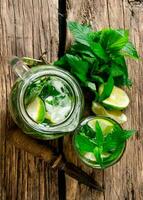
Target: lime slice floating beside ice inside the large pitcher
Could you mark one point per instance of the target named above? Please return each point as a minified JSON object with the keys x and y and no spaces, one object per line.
{"x":36,"y":110}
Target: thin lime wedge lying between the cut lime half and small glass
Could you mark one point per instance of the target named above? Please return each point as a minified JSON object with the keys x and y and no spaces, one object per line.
{"x":117,"y":115}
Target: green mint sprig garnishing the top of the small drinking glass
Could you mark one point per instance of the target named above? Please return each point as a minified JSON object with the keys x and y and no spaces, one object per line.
{"x":88,"y":140}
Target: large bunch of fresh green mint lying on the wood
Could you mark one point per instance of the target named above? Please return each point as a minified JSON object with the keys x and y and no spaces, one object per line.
{"x":98,"y":57}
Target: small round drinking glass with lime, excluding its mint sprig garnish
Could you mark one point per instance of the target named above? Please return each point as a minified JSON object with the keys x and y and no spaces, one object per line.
{"x":84,"y":145}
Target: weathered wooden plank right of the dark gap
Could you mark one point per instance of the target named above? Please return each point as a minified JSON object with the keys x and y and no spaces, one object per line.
{"x":124,"y":180}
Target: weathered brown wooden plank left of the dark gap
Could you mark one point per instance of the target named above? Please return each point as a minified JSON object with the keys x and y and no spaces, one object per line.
{"x":27,"y":28}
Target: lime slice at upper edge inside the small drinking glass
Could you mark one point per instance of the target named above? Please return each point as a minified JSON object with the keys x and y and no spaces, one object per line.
{"x":105,"y":124}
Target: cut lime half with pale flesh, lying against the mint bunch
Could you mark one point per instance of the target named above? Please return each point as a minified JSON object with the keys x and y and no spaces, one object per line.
{"x":118,"y":99}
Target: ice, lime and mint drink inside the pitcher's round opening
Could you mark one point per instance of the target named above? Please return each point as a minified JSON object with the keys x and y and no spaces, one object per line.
{"x":49,"y":100}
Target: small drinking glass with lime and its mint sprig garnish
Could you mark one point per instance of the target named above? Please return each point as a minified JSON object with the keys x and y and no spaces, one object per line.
{"x":100,"y":141}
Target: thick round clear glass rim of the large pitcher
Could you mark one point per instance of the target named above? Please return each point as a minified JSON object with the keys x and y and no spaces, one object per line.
{"x":45,"y":70}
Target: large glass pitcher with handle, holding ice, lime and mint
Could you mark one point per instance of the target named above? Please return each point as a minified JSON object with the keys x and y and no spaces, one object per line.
{"x":63,"y":110}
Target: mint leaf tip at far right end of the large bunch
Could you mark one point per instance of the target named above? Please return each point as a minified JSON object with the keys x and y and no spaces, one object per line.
{"x":129,"y":50}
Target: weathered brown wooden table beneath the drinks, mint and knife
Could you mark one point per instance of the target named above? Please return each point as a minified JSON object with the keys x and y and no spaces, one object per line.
{"x":28,"y":28}
